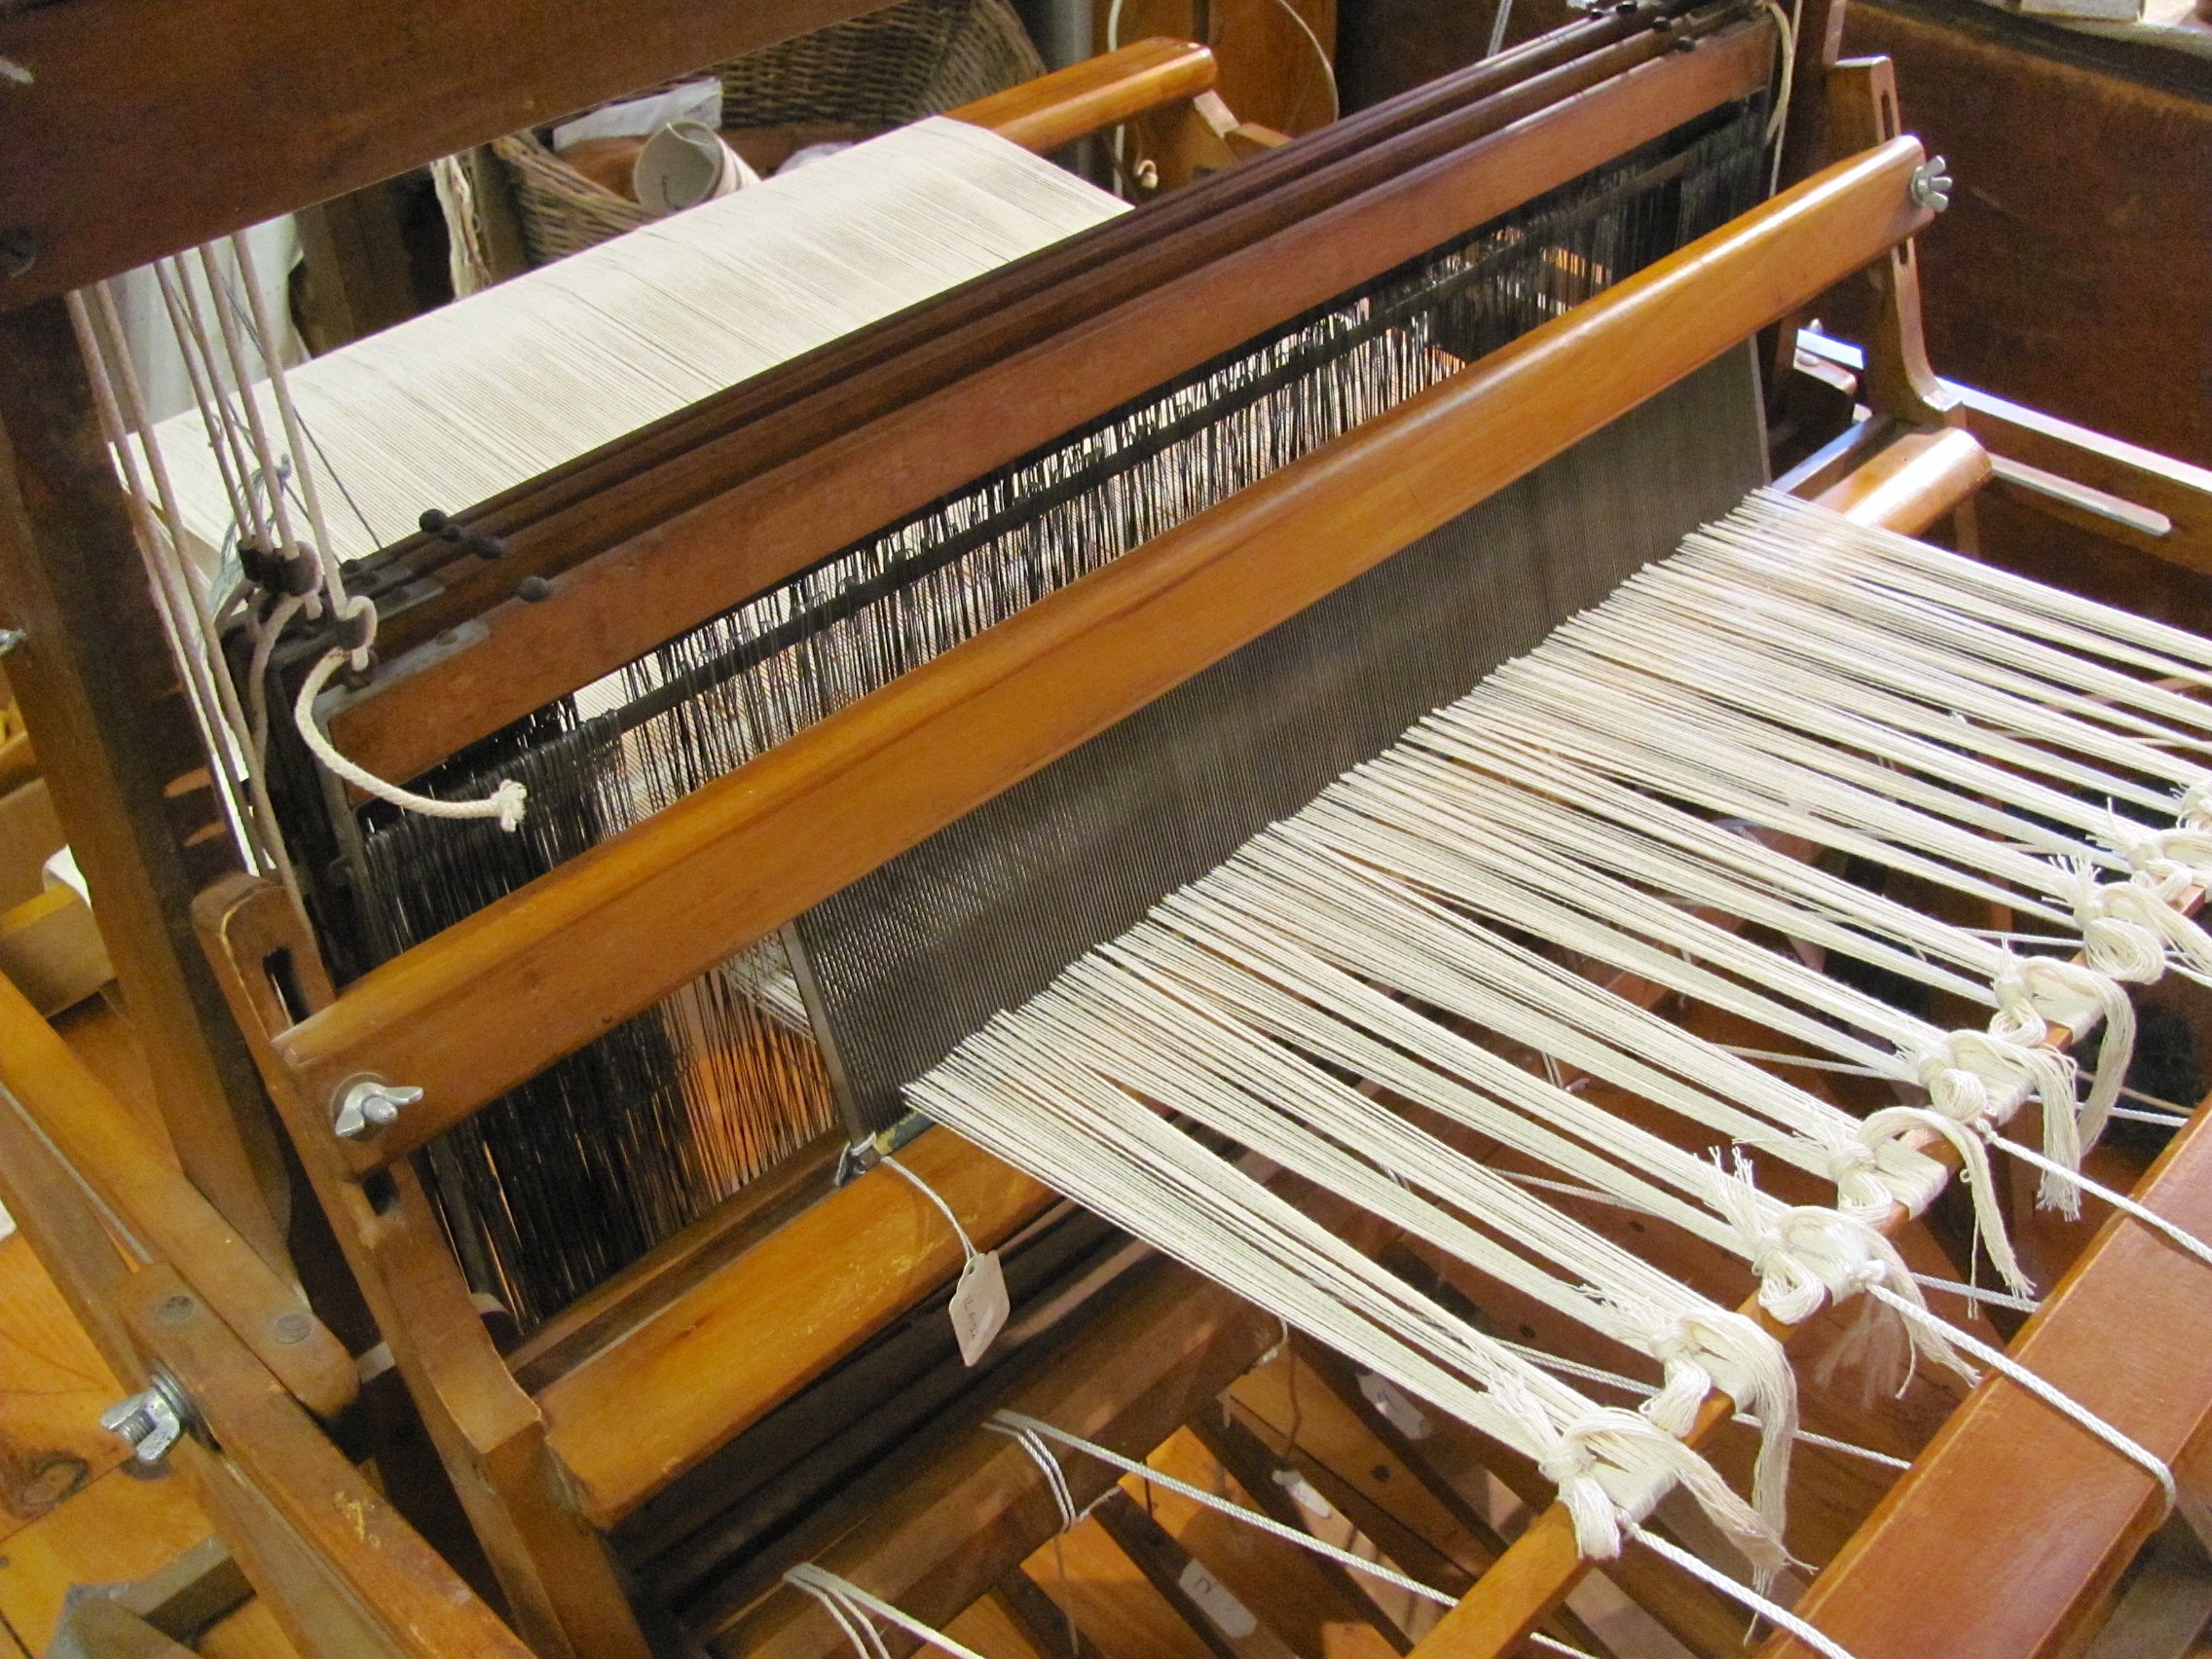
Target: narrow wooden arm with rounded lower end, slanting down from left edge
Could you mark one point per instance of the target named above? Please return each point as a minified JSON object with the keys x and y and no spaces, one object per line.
{"x":143,"y":1189}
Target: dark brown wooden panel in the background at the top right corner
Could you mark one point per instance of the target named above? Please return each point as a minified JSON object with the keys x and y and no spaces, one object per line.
{"x":2072,"y":269}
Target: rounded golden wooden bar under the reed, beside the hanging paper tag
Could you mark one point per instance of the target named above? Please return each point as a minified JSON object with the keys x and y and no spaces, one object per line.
{"x":636,"y":1417}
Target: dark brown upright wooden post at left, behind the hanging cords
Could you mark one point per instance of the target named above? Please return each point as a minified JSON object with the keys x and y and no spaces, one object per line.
{"x":125,"y":764}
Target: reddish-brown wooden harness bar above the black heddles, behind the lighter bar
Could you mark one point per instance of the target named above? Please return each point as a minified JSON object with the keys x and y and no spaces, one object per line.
{"x":828,"y":481}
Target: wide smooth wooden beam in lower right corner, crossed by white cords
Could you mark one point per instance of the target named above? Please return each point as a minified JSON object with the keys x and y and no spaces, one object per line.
{"x":2014,"y":1523}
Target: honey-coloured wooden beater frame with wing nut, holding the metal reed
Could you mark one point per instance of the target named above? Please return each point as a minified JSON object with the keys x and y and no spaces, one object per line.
{"x":585,"y":1452}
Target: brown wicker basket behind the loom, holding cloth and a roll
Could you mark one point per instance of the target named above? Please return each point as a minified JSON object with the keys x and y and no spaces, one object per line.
{"x":890,"y":67}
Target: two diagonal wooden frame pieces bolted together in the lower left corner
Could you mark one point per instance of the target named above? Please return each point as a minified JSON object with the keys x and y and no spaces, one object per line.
{"x":337,"y":1567}
